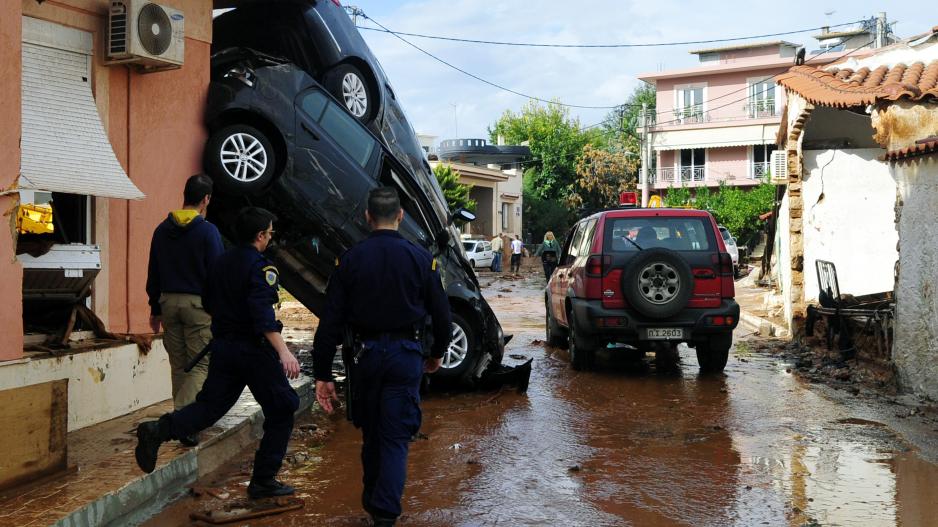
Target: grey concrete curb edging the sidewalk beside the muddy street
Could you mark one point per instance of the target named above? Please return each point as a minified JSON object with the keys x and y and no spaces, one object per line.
{"x":147,"y":495}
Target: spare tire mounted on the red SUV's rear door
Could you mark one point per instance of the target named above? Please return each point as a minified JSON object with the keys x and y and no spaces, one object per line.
{"x":657,"y":282}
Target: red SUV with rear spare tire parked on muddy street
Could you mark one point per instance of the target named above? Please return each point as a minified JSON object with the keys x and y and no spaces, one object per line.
{"x":647,"y":278}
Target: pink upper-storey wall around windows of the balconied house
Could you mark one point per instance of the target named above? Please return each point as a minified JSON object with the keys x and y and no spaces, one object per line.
{"x":724,"y":96}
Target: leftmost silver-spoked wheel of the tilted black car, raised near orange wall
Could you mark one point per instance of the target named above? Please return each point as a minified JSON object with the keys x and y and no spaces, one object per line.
{"x":240,"y":159}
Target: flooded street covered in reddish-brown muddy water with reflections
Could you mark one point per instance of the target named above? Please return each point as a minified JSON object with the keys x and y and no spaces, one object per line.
{"x":626,"y":444}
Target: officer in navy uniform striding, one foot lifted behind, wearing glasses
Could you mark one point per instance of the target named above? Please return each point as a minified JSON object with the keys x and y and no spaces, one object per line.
{"x":247,"y":350}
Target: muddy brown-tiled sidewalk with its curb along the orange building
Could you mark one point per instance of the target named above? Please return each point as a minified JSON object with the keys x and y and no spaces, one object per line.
{"x":104,"y":486}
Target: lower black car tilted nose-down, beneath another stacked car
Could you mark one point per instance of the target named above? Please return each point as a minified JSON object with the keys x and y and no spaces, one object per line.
{"x":279,"y":140}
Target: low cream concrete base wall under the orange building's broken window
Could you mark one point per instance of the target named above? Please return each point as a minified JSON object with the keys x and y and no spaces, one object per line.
{"x":102,"y":384}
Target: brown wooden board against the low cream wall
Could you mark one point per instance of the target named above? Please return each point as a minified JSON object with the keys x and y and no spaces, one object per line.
{"x":34,"y":421}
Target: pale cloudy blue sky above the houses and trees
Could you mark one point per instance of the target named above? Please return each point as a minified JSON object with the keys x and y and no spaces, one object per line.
{"x":589,"y":77}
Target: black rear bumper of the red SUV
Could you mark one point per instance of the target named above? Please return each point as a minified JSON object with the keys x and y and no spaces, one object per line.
{"x":696,"y":324}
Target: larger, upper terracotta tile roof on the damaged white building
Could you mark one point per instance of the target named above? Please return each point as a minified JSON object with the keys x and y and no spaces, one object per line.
{"x":844,"y":87}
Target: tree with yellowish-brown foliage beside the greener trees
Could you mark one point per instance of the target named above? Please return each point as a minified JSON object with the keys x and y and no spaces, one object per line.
{"x":601,"y":176}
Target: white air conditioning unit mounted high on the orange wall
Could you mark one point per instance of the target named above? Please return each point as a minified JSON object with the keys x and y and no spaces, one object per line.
{"x":150,"y":35}
